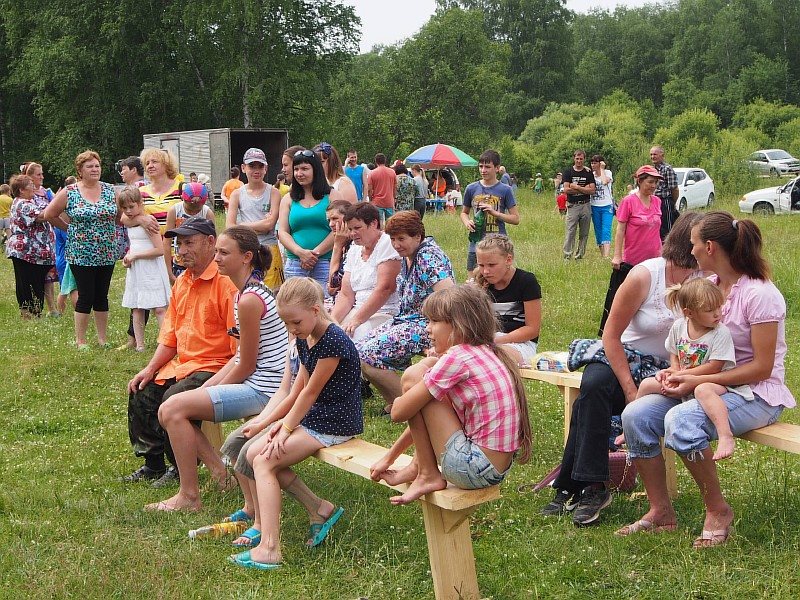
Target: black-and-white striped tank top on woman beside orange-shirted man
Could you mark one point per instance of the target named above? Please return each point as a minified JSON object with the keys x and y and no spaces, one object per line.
{"x":273,"y":341}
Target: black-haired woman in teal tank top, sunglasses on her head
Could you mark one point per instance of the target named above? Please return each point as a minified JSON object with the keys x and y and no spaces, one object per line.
{"x":303,"y":227}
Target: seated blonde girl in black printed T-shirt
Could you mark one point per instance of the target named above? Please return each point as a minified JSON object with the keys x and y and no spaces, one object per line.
{"x":516,"y":297}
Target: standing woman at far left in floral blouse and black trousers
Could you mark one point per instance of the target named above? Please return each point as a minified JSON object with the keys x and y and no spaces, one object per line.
{"x":28,"y":246}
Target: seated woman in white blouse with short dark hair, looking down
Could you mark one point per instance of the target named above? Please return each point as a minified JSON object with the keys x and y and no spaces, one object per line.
{"x":368,"y":297}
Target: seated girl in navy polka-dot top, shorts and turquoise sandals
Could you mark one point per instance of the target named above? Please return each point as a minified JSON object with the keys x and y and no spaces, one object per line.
{"x":323,"y":409}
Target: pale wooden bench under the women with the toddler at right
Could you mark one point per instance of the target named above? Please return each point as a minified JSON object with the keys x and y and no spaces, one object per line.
{"x":782,"y":436}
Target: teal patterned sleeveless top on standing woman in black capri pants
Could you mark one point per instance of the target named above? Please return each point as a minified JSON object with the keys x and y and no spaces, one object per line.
{"x":91,"y":234}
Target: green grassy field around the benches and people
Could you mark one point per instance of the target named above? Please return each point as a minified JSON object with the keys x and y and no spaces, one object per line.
{"x":68,"y":528}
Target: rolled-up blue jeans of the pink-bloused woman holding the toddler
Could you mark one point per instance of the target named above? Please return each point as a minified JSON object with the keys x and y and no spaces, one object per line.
{"x":684,"y":425}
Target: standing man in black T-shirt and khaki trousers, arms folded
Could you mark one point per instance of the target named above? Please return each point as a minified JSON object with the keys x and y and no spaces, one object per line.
{"x":579,"y":187}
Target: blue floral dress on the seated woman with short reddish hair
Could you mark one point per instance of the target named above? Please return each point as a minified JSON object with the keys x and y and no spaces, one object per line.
{"x":393,"y":344}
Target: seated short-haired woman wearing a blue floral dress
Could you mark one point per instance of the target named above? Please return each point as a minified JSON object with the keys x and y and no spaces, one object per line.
{"x":425,"y":269}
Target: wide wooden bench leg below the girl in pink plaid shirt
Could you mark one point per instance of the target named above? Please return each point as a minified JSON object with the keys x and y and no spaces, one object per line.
{"x":450,"y":552}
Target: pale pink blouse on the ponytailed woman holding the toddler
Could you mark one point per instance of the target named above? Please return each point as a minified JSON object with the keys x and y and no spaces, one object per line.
{"x":750,"y":302}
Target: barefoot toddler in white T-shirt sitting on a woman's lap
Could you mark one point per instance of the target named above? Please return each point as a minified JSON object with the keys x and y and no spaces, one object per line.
{"x":700,"y":345}
